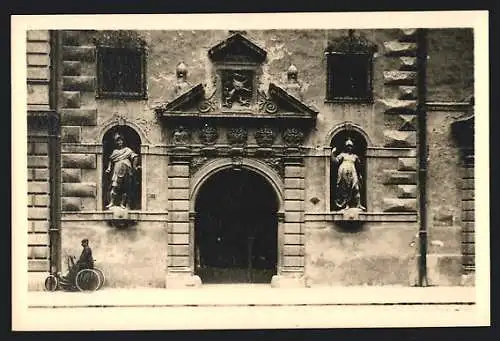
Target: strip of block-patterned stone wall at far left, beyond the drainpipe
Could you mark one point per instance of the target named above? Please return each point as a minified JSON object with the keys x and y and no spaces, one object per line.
{"x":38,"y":80}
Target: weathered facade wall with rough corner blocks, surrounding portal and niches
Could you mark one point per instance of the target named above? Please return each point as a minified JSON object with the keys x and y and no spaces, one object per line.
{"x":330,"y":255}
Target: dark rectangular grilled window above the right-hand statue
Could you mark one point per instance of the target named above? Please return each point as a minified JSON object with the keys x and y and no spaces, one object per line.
{"x":349,"y":77}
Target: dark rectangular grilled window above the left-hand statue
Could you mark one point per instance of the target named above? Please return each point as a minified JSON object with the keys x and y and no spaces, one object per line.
{"x":121,"y":72}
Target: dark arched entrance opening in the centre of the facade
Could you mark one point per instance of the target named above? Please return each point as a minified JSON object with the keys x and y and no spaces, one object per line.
{"x":236,"y":228}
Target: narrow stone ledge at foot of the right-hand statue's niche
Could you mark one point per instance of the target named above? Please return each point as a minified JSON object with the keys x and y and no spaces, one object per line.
{"x":363,"y":216}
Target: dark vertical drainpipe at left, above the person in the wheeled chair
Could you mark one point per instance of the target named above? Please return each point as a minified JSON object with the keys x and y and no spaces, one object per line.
{"x":54,"y":158}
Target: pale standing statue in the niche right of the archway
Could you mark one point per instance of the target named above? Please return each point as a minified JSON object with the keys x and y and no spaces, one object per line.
{"x":348,"y":178}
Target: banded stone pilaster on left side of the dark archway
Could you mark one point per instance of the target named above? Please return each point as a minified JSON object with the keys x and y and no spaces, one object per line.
{"x":180,"y":251}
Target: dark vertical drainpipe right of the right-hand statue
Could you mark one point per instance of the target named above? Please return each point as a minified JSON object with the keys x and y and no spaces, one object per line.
{"x":422,"y":153}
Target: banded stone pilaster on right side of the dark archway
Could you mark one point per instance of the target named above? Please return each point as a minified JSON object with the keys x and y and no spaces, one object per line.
{"x":291,"y":258}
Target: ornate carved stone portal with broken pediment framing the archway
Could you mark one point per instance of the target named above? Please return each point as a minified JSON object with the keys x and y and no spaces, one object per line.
{"x":235,"y":126}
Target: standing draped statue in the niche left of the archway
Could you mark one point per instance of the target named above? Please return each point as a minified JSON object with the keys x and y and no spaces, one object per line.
{"x":123,"y":164}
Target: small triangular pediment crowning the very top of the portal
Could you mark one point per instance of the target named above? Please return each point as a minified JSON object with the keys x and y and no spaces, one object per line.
{"x":237,"y":48}
